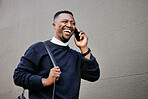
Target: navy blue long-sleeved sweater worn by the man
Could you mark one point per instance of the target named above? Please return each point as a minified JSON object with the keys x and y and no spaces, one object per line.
{"x":36,"y":64}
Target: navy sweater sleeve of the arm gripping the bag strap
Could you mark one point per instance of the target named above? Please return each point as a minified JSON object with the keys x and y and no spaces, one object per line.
{"x":25,"y":73}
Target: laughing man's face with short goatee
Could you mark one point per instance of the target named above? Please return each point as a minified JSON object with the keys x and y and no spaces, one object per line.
{"x":64,"y":26}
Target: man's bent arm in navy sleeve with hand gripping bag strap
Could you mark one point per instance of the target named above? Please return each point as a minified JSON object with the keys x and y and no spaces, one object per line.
{"x":25,"y":74}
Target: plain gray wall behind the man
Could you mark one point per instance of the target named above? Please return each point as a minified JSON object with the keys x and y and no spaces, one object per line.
{"x":117,"y":31}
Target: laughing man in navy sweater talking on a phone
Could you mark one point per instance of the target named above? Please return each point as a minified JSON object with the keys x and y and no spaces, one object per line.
{"x":36,"y":73}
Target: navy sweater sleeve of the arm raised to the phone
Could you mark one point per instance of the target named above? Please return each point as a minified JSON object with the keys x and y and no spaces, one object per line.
{"x":90,"y":69}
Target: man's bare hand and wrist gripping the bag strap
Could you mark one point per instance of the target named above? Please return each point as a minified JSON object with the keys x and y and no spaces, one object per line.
{"x":54,"y":75}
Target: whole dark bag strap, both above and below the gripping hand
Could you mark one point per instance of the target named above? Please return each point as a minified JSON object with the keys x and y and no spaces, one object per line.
{"x":53,"y":62}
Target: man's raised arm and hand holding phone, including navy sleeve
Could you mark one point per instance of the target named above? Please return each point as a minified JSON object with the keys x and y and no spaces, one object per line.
{"x":90,"y":67}
